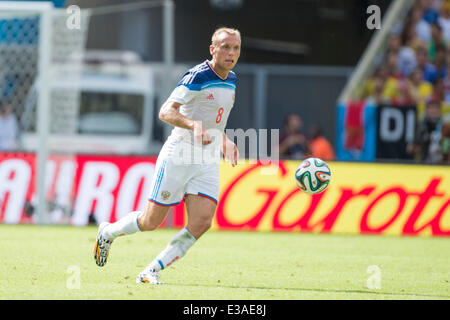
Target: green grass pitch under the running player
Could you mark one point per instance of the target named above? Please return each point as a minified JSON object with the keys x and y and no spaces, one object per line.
{"x":50,"y":262}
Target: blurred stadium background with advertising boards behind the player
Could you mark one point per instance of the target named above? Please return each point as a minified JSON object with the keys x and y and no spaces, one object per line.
{"x":81,"y":89}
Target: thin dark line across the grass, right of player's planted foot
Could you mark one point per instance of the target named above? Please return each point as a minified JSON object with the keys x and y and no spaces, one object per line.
{"x":312,"y":290}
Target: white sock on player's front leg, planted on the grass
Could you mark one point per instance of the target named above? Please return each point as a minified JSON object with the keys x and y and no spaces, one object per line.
{"x":177,"y":247}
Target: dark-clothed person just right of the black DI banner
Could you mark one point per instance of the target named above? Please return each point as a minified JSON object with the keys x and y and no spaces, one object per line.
{"x":428,"y":134}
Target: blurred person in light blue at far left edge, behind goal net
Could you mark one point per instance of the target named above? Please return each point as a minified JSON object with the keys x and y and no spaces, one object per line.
{"x":9,"y":128}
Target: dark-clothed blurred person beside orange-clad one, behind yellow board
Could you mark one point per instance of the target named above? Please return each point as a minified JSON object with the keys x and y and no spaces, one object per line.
{"x":292,"y":140}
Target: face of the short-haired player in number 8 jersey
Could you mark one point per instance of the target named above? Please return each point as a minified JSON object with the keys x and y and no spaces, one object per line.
{"x":227,"y":50}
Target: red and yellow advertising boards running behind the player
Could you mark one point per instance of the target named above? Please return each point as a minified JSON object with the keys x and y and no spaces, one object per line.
{"x":361,"y":198}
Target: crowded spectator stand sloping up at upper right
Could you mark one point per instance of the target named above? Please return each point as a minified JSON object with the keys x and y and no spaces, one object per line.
{"x":414,"y":70}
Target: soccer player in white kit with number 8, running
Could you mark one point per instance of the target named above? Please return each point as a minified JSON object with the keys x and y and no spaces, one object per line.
{"x":188,"y":163}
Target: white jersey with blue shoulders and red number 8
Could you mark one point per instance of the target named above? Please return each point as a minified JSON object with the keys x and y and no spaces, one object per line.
{"x":204,"y":97}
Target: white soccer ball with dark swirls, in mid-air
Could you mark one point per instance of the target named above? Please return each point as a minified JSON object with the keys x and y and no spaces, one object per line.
{"x":313,"y":175}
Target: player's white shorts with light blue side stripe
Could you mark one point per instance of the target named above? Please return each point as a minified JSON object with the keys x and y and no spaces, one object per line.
{"x":172,"y":180}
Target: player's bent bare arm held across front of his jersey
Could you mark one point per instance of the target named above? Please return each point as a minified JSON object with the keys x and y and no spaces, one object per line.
{"x":170,"y":114}
